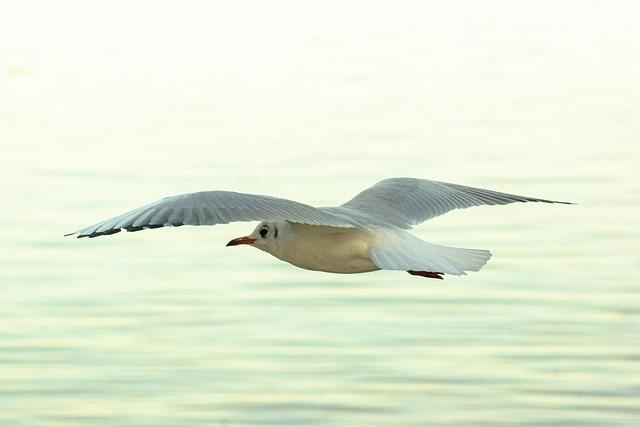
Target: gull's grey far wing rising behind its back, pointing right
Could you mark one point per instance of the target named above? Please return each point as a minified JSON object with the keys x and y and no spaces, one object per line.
{"x":405,"y":202}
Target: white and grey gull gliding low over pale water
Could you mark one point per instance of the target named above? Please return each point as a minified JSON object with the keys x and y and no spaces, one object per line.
{"x":367,"y":233}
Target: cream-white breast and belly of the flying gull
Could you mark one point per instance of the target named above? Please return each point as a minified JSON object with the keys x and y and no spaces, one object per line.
{"x":335,"y":250}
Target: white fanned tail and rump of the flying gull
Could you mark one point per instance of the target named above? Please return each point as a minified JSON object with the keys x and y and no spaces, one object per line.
{"x":399,"y":250}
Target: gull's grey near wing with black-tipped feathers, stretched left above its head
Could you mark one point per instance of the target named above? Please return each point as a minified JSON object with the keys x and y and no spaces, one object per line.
{"x":212,"y":207}
